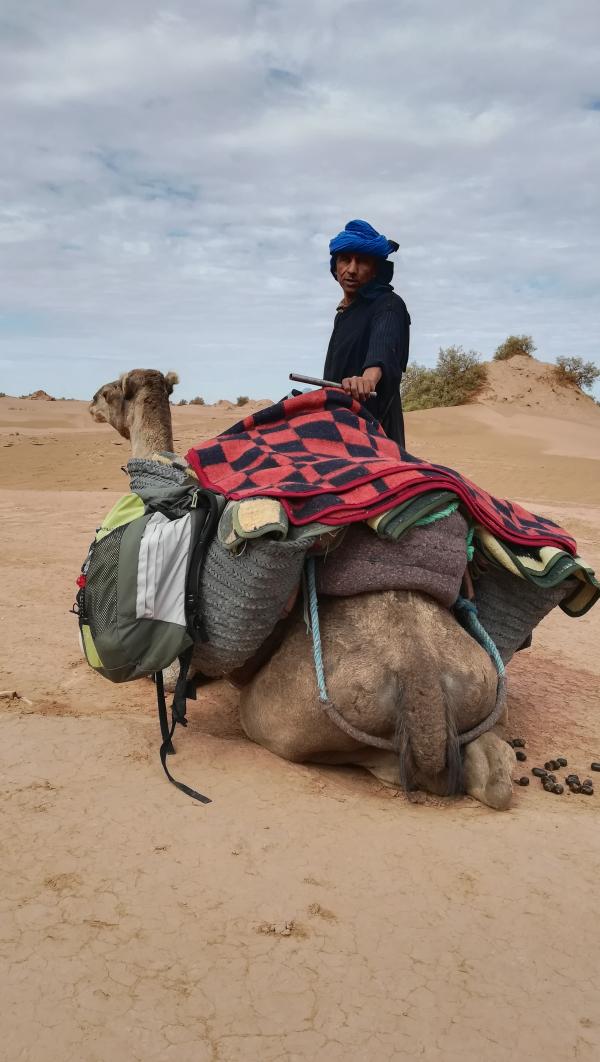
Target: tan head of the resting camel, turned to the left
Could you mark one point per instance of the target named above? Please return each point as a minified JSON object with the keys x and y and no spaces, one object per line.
{"x":115,"y":402}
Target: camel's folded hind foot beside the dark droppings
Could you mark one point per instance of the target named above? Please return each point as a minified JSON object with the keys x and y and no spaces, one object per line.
{"x":488,"y":768}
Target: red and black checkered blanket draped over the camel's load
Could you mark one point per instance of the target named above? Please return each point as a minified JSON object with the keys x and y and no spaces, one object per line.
{"x":329,"y":460}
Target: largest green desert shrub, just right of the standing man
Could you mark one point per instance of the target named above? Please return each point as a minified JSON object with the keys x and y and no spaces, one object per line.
{"x":457,"y":379}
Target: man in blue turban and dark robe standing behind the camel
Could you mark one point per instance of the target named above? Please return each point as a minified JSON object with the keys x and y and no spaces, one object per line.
{"x":369,"y":349}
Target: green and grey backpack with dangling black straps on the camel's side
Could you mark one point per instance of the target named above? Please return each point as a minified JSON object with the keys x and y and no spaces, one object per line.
{"x":139,"y":598}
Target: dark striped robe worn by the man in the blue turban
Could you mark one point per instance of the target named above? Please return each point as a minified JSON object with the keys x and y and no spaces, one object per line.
{"x":373,"y":331}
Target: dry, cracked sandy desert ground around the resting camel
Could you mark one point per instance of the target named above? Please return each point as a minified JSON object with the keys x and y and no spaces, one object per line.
{"x":307,"y":913}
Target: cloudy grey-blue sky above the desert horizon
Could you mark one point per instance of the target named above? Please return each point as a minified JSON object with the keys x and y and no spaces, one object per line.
{"x":172,"y":176}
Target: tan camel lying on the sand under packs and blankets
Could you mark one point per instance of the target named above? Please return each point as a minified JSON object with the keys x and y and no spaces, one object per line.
{"x":400,"y":667}
